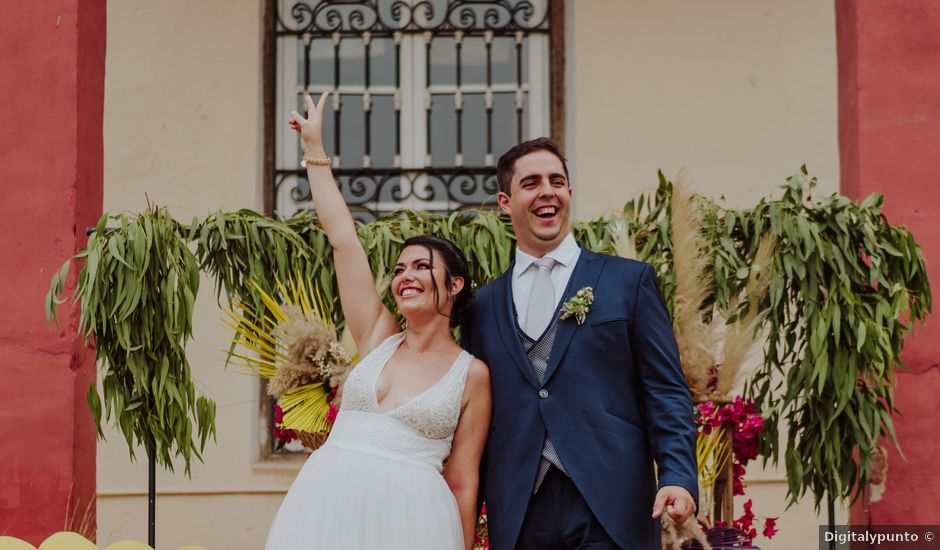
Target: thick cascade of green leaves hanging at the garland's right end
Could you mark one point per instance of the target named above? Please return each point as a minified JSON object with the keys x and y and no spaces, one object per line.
{"x":844,"y":290}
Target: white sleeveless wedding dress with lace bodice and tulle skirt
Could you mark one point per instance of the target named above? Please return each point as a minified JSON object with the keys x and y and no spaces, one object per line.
{"x":376,"y":483}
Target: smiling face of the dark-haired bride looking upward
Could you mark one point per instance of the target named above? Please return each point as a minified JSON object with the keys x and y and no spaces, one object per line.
{"x":420,"y":277}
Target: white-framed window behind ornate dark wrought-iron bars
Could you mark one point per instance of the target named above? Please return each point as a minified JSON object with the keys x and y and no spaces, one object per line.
{"x":426,"y":94}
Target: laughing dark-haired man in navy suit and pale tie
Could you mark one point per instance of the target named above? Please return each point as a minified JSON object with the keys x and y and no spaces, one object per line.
{"x":581,"y":410}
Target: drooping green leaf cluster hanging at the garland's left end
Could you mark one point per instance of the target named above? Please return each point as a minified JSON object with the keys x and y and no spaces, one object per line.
{"x":136,"y":289}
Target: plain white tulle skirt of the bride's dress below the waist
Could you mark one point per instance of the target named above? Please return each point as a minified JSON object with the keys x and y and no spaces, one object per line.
{"x":346,"y":499}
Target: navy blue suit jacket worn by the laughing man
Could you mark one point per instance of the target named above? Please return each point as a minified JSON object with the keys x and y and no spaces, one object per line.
{"x":617,"y":400}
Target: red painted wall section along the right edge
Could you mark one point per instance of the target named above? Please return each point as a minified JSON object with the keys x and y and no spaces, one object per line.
{"x":889,"y":122}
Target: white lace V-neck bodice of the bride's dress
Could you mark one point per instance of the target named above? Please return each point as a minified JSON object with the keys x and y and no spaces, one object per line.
{"x":420,"y":430}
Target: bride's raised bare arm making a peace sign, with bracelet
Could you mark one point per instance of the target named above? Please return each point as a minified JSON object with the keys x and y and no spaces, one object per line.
{"x":368,"y":319}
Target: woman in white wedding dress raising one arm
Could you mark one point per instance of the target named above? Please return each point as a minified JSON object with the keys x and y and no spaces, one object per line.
{"x":414,"y":400}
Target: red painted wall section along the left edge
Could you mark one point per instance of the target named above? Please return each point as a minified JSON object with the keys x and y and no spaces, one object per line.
{"x":52,"y":89}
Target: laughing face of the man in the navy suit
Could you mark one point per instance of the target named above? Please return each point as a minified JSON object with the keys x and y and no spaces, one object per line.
{"x":538,"y":202}
